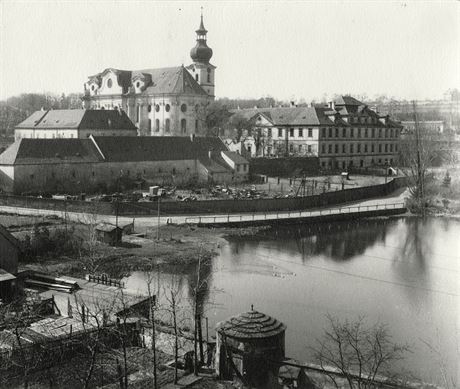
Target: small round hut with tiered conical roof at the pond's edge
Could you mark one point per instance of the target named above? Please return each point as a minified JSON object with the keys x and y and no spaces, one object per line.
{"x":249,"y":346}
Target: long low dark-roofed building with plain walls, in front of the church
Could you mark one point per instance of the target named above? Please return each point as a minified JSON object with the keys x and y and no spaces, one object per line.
{"x":99,"y":163}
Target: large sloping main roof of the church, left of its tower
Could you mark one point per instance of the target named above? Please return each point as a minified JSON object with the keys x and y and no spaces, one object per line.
{"x":171,"y":80}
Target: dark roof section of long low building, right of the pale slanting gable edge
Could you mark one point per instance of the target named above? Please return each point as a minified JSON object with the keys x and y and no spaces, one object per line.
{"x":149,"y":148}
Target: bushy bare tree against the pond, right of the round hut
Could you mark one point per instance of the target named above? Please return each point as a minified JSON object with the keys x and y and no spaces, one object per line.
{"x":360,"y":353}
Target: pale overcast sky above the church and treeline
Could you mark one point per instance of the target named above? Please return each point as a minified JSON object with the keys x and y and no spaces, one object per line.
{"x":287,"y":50}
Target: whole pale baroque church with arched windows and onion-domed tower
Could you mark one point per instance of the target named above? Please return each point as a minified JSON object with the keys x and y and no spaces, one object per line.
{"x":160,"y":102}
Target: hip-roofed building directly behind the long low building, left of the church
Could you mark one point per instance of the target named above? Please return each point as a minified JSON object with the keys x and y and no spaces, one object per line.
{"x":75,"y":123}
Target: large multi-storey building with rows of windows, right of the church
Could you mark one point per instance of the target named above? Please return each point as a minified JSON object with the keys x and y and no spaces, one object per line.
{"x":343,"y":134}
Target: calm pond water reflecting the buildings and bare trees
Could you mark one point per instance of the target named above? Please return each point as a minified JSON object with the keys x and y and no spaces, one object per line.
{"x":403,"y":272}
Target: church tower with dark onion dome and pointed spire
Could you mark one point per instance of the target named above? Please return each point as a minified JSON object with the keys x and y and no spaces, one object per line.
{"x":201,"y":70}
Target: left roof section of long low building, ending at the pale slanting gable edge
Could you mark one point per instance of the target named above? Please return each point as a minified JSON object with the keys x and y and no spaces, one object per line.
{"x":59,"y":150}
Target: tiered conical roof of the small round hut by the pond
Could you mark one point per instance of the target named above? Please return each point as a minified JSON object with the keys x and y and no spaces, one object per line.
{"x":251,"y":325}
